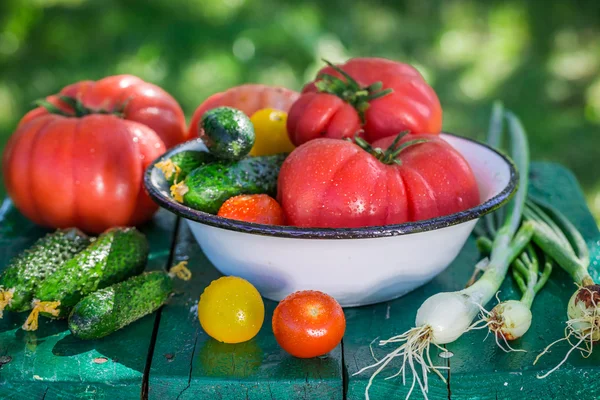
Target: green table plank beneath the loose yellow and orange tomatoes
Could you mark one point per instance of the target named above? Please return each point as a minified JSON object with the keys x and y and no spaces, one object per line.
{"x":187,"y":364}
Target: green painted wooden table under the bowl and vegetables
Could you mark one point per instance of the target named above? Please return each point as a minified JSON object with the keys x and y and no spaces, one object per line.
{"x":168,"y":356}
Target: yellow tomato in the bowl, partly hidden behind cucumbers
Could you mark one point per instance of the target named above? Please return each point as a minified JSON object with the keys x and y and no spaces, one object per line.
{"x":271,"y":133}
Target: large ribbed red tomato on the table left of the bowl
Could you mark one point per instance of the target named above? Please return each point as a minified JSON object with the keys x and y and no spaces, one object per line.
{"x":79,"y":159}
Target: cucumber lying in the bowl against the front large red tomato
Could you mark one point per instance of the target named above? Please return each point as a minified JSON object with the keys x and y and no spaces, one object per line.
{"x":211,"y":185}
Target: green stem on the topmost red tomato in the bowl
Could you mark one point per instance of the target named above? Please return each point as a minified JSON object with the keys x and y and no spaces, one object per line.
{"x":349,"y":90}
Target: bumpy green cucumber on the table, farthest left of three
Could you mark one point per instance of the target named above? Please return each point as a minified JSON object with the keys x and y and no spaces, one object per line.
{"x":27,"y":271}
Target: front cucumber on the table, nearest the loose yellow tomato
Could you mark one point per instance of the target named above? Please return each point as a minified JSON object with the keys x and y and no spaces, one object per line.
{"x":110,"y":309}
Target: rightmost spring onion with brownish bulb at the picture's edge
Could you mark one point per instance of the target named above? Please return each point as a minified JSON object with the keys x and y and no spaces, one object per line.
{"x":558,"y":238}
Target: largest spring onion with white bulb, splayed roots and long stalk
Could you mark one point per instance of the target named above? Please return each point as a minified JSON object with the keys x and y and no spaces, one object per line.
{"x":444,"y":317}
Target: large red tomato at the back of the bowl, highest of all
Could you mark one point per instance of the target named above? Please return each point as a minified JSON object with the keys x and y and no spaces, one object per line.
{"x":374,"y":96}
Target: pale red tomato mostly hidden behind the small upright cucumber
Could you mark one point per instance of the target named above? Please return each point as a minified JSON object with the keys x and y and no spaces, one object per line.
{"x":248,"y":98}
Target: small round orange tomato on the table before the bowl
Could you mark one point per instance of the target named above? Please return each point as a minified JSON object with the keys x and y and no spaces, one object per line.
{"x":308,"y":324}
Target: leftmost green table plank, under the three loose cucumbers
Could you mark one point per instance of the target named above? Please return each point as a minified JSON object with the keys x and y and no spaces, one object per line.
{"x":50,"y":363}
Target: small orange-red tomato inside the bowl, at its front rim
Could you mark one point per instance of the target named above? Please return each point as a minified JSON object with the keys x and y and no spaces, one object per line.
{"x":258,"y":208}
